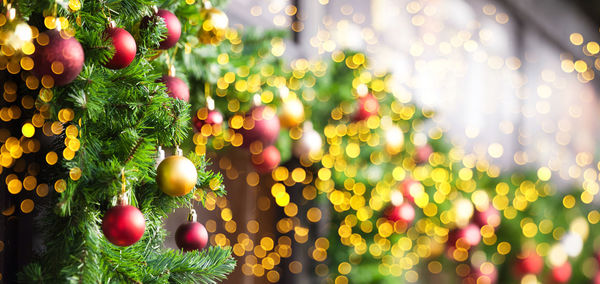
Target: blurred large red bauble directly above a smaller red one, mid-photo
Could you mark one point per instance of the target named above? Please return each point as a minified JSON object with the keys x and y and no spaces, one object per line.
{"x":261,"y":125}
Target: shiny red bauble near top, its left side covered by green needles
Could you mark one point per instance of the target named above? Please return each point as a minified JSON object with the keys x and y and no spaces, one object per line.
{"x":125,"y":48}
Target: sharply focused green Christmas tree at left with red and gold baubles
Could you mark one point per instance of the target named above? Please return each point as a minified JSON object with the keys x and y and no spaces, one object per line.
{"x":100,"y":96}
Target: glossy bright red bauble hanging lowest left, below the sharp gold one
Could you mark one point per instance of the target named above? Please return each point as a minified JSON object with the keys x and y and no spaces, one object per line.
{"x":123,"y":225}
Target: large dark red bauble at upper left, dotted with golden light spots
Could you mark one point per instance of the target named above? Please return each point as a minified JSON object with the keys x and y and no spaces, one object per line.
{"x":61,"y":57}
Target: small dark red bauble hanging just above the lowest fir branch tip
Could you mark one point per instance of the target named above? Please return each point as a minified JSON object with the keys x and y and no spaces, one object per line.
{"x":191,"y":235}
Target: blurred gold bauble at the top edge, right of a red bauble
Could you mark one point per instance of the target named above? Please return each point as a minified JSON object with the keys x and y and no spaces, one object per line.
{"x":214,"y":25}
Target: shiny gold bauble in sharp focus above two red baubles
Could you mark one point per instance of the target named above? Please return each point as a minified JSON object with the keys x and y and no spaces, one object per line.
{"x":176,"y":175}
